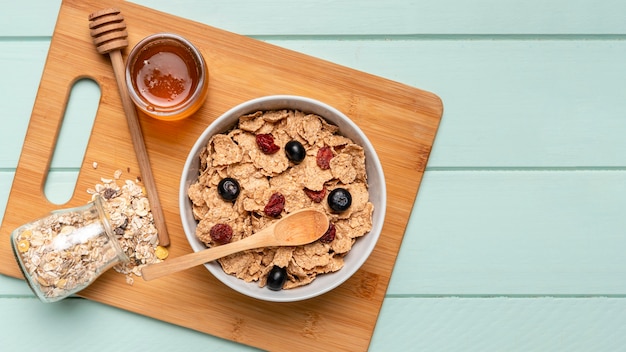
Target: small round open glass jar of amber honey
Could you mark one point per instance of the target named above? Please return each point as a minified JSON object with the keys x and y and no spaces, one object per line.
{"x":166,"y":76}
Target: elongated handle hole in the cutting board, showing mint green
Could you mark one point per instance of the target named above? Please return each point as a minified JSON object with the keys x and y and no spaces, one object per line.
{"x":72,"y":140}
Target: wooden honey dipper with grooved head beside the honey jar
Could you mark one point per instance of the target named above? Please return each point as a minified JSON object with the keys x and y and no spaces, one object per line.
{"x":108,"y":30}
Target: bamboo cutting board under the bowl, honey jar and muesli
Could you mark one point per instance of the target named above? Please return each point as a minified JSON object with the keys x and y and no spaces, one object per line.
{"x":400,"y":121}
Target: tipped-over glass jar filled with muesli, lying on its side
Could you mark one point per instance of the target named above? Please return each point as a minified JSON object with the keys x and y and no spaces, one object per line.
{"x":65,"y":251}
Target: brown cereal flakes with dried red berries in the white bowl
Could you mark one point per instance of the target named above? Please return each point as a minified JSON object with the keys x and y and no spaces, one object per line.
{"x":271,"y":184}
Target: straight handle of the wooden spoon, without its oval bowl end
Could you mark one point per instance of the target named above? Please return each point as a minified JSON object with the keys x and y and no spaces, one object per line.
{"x":155,"y":271}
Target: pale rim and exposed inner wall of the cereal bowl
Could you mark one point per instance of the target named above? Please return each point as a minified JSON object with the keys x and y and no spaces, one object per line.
{"x":223,"y":123}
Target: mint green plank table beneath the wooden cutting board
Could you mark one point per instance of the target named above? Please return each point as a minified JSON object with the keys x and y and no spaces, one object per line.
{"x":517,"y":239}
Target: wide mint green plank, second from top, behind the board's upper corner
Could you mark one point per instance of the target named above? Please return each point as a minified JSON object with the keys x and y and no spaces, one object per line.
{"x":543,"y":128}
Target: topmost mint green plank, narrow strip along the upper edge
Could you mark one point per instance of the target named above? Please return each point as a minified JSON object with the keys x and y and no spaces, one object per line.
{"x":368,"y":18}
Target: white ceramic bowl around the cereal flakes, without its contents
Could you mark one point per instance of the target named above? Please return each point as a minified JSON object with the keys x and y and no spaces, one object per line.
{"x":377,"y":192}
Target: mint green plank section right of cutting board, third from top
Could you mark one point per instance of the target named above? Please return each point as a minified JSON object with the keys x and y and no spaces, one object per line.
{"x":521,"y":233}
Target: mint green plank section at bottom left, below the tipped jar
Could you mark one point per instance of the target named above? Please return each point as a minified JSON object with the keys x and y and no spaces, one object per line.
{"x":70,"y":326}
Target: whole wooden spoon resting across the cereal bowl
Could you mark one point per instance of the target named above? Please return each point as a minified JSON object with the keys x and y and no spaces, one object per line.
{"x":298,"y":228}
